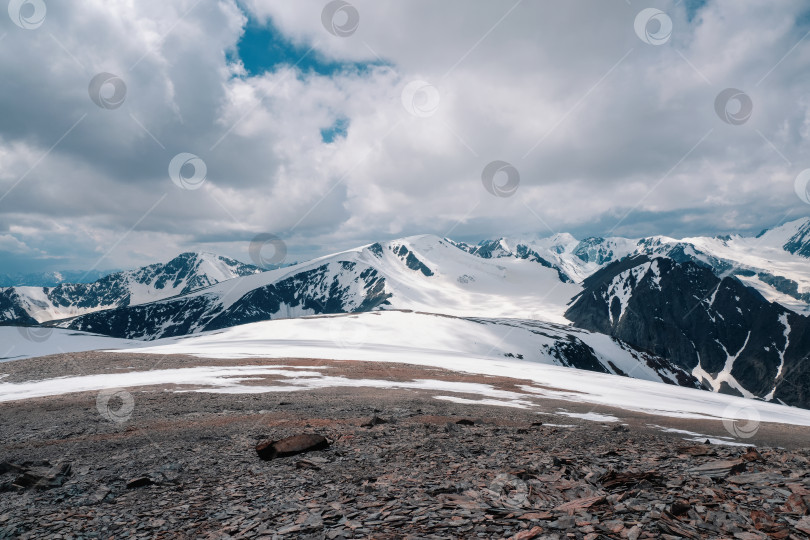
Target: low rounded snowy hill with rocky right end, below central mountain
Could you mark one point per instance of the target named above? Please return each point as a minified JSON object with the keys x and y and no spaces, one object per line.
{"x":383,"y":334}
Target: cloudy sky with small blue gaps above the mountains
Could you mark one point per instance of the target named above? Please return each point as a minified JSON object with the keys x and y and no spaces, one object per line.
{"x":333,"y":124}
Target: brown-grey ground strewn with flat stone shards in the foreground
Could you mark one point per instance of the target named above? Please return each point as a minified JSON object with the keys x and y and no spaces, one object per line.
{"x":399,"y":464}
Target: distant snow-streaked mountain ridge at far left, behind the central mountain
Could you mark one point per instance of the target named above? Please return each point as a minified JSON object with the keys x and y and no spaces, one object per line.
{"x":181,"y":275}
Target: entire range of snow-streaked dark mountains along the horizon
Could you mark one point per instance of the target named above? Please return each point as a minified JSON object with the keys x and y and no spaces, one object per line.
{"x":725,"y":313}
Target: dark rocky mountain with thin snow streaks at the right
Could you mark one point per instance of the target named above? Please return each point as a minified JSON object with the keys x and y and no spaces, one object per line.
{"x":722,"y":331}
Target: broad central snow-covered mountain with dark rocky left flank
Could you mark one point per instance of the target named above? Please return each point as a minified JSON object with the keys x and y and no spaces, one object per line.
{"x":422,"y":273}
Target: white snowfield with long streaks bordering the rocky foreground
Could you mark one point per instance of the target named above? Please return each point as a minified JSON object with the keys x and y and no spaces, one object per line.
{"x":461,"y":345}
